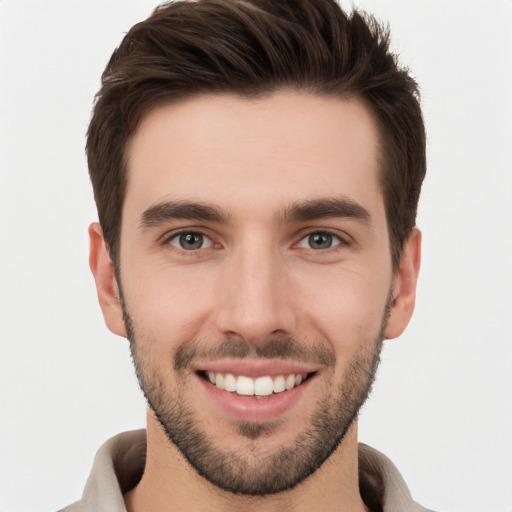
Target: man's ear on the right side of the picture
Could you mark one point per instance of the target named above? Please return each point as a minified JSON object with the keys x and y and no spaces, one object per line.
{"x":404,"y":286}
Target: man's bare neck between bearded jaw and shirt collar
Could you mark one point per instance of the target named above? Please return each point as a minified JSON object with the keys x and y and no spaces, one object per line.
{"x":170,"y":483}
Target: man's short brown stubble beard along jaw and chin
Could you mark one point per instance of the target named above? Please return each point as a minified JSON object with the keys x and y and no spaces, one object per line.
{"x":258,"y":472}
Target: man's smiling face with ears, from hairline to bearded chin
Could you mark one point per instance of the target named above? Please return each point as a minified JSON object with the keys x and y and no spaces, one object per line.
{"x":255,"y":279}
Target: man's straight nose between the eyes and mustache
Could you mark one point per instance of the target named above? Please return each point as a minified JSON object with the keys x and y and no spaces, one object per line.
{"x":255,"y":302}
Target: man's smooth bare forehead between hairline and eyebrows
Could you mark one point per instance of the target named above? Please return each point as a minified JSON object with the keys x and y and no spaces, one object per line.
{"x":247,"y":154}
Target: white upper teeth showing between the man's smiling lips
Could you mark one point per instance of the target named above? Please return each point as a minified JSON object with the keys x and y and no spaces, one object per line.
{"x":261,"y":387}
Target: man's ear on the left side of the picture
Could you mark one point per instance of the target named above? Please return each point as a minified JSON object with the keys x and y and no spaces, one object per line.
{"x":106,"y":284}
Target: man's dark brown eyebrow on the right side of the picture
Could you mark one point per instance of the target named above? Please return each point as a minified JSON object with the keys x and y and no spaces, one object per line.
{"x":323,"y":209}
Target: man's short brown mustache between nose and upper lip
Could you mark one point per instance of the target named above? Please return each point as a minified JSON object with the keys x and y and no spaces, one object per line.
{"x":275,"y":348}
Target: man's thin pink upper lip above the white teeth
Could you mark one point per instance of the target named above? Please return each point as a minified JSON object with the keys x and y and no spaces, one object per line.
{"x":255,"y":368}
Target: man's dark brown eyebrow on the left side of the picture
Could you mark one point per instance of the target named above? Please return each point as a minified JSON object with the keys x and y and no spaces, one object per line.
{"x":169,"y":210}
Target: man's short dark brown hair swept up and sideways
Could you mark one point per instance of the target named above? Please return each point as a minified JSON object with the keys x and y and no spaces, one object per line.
{"x":253,"y":48}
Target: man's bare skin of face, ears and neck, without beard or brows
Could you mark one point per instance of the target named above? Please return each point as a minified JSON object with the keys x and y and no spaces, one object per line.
{"x":256,"y":277}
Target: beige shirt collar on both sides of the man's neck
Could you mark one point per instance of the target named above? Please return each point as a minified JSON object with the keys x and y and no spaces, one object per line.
{"x":119,"y":464}
